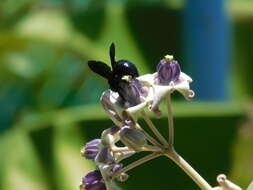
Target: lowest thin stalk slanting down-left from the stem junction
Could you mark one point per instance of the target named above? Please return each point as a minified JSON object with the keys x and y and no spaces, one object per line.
{"x":137,"y":163}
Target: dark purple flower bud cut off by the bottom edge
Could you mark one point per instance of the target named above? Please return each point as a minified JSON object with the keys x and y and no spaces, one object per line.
{"x":93,"y":181}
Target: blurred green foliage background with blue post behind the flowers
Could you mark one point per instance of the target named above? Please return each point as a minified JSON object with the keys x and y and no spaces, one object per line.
{"x":49,"y":100}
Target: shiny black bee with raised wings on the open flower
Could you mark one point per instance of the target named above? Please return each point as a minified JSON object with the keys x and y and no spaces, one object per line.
{"x":119,"y":69}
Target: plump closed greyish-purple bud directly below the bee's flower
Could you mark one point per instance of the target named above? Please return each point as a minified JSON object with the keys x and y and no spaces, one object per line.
{"x":133,"y":138}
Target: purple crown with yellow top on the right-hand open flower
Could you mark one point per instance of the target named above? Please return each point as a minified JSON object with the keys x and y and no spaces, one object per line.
{"x":168,"y":70}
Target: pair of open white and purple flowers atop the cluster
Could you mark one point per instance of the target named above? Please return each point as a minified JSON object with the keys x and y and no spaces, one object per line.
{"x":148,"y":90}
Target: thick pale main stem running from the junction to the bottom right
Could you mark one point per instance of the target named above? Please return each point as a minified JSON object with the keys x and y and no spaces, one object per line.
{"x":193,"y":174}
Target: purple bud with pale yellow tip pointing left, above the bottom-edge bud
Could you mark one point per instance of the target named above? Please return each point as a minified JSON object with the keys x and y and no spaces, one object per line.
{"x":90,"y":150}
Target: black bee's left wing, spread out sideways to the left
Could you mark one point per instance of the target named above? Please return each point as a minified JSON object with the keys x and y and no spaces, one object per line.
{"x":100,"y":68}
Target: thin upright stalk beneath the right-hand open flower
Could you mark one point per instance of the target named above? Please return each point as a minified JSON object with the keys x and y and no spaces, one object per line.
{"x":170,"y":121}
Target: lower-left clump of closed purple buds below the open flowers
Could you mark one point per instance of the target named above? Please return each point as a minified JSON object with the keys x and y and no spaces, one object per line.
{"x":107,"y":156}
